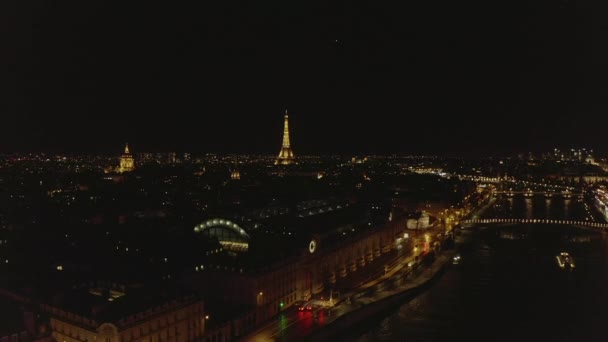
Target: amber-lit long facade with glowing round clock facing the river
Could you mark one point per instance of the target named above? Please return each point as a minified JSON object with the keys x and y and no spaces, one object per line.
{"x":319,"y":268}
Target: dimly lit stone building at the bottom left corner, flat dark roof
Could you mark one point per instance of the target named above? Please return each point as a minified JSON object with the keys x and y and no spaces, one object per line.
{"x":111,"y":314}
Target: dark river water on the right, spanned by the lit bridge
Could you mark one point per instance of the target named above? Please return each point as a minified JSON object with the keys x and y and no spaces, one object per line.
{"x":508,"y":285}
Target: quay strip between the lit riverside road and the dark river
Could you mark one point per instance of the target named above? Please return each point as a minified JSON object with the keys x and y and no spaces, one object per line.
{"x":386,"y":295}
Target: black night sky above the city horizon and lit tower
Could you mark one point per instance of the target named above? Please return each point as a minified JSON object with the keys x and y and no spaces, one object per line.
{"x":456,"y":77}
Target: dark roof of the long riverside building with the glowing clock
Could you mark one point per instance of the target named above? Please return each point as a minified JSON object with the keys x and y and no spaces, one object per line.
{"x":279,"y":237}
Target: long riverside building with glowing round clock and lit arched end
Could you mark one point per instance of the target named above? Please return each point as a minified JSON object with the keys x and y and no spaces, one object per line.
{"x":291,"y":257}
